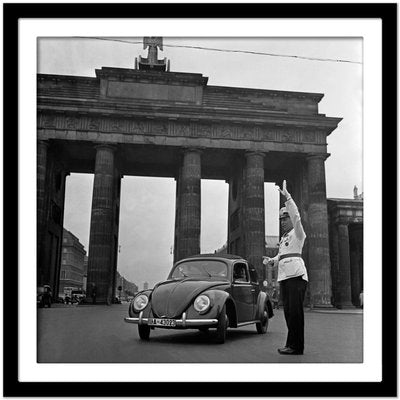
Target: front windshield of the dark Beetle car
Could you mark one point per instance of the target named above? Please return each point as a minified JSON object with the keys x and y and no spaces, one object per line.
{"x":206,"y":268}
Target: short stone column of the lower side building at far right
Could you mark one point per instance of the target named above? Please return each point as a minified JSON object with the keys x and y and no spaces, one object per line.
{"x":344,"y":266}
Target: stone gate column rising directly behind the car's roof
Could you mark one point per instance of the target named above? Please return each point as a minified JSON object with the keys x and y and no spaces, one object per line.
{"x":187,"y":235}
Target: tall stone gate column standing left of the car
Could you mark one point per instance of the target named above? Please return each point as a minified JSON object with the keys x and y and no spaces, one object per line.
{"x":101,"y":242}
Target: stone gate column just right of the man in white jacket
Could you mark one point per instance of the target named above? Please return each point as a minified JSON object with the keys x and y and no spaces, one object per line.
{"x":317,"y":235}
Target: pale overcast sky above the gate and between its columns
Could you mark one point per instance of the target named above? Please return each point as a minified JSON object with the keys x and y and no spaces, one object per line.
{"x":148,"y":205}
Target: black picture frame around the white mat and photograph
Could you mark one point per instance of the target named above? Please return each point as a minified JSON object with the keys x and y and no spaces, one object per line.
{"x":12,"y":386}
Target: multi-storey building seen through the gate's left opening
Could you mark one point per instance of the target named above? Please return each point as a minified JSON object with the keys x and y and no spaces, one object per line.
{"x":72,"y":271}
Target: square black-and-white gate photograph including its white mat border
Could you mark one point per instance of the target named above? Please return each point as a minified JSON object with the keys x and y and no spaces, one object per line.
{"x":199,"y":201}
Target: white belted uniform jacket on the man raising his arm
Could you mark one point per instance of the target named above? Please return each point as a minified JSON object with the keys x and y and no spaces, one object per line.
{"x":291,"y":242}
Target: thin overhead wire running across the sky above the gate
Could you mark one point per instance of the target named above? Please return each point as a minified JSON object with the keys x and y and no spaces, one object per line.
{"x":229,"y":50}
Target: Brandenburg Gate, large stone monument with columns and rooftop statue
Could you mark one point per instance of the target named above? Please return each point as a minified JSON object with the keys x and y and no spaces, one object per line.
{"x":149,"y":121}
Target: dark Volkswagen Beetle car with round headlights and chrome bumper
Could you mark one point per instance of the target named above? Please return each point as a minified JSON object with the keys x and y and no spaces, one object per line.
{"x":202,"y":292}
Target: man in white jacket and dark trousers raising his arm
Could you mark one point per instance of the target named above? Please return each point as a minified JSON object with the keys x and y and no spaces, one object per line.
{"x":292,"y":273}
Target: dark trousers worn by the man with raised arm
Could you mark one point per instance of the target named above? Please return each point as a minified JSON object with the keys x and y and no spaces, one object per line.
{"x":293,"y":291}
